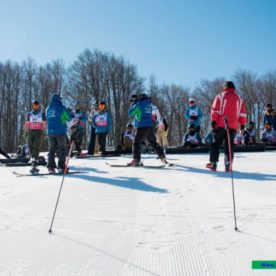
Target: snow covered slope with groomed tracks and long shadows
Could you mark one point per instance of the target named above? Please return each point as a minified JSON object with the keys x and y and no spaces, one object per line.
{"x":137,"y":221}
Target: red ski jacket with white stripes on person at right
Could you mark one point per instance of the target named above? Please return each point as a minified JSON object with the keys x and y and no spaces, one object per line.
{"x":228,"y":104}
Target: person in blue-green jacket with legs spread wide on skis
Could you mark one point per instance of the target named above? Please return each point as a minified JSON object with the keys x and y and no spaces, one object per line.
{"x":142,"y":111}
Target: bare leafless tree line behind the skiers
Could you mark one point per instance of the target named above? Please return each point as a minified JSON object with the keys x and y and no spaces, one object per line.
{"x":97,"y":76}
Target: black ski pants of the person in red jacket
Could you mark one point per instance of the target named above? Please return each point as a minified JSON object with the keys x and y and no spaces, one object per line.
{"x":220,"y":136}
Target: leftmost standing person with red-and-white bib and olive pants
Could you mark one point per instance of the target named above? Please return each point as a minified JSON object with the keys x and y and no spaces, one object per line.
{"x":35,"y":130}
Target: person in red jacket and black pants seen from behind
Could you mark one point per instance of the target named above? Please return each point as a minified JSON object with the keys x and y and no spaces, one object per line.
{"x":228,"y":104}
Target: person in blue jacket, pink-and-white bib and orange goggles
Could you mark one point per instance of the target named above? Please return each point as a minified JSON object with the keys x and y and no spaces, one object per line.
{"x":102,"y":123}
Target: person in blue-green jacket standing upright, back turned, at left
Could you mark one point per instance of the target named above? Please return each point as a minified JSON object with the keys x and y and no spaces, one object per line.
{"x":56,"y":116}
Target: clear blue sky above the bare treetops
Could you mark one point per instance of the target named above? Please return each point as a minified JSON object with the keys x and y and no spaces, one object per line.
{"x":178,"y":41}
